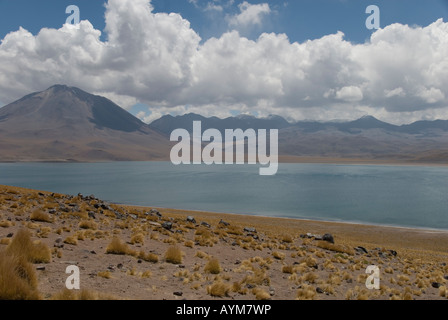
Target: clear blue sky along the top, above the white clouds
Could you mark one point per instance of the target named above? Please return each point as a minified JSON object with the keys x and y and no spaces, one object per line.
{"x":299,"y":19}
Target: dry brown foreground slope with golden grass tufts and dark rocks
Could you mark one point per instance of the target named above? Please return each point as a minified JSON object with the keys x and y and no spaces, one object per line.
{"x":136,"y":253}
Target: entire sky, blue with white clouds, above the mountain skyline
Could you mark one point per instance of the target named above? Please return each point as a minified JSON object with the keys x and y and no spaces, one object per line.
{"x":300,"y":59}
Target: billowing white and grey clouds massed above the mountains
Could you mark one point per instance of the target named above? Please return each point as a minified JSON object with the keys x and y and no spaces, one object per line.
{"x":400,"y":75}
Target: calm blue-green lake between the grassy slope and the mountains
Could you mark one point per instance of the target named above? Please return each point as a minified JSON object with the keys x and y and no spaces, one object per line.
{"x":411,"y":196}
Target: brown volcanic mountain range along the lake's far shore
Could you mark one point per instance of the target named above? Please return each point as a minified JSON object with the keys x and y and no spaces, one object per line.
{"x":68,"y":124}
